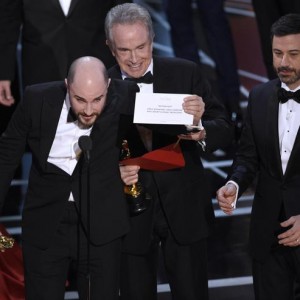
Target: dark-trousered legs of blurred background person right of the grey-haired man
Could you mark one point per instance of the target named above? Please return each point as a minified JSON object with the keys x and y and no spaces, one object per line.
{"x":216,"y":29}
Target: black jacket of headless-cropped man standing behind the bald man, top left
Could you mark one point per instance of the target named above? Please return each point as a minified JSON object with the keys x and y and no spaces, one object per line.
{"x":50,"y":40}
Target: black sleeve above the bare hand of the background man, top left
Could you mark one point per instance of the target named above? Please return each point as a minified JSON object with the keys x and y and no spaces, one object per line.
{"x":10,"y":24}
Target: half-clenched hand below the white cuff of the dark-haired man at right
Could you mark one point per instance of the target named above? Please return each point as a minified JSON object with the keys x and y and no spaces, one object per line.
{"x":226,"y":196}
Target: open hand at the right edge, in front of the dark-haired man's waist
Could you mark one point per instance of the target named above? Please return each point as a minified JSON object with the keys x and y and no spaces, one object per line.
{"x":291,"y":237}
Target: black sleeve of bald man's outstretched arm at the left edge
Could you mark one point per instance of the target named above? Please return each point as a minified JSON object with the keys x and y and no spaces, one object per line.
{"x":12,"y":145}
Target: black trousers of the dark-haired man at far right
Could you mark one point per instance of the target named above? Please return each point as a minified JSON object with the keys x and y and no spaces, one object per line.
{"x":275,"y":278}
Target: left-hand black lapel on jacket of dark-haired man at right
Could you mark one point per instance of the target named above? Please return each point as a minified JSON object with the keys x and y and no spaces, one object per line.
{"x":272,"y":144}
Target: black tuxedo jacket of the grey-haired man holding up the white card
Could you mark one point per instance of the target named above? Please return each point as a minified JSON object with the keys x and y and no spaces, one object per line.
{"x":184,"y":193}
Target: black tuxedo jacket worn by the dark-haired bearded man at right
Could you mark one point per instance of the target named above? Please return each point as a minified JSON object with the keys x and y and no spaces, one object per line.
{"x":259,"y":152}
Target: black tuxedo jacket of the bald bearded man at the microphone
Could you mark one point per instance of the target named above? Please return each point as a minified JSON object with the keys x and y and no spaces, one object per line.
{"x":35,"y":122}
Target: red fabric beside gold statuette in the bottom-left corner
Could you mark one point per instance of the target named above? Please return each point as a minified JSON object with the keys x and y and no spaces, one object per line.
{"x":11,"y":272}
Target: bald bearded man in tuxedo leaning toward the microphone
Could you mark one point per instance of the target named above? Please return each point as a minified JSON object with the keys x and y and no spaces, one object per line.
{"x":75,"y":208}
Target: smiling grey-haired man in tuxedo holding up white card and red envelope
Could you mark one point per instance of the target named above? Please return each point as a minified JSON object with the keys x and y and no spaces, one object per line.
{"x":180,"y":214}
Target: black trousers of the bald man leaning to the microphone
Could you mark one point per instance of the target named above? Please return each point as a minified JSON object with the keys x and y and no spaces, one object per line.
{"x":46,"y":270}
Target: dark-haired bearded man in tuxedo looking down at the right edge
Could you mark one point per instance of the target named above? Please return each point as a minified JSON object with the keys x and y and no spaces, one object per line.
{"x":270,"y":148}
